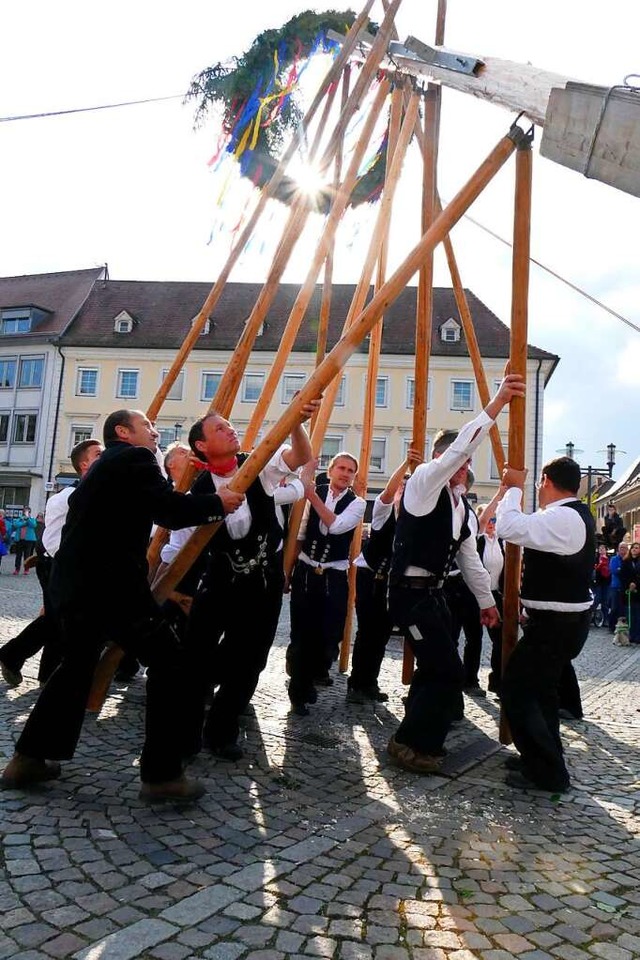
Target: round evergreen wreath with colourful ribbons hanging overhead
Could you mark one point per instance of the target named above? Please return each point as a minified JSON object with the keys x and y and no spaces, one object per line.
{"x":257,"y":95}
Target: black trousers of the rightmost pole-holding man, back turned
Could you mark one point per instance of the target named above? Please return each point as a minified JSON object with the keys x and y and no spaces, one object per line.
{"x":530,"y":691}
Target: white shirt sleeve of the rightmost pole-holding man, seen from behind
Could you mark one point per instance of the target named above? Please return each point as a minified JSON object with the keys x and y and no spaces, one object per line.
{"x":552,"y":530}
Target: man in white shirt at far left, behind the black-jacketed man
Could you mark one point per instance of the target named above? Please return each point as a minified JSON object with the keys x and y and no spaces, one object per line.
{"x":42,"y":633}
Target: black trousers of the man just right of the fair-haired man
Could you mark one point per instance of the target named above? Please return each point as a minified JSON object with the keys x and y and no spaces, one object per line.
{"x":374,"y":628}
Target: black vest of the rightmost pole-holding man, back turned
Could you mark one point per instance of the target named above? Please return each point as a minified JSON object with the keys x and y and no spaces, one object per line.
{"x":549,"y":576}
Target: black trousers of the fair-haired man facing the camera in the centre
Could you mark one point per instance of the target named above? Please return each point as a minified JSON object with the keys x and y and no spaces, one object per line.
{"x":318,"y":614}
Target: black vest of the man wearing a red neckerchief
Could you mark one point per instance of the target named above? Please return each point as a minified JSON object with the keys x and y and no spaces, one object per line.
{"x":259,"y":546}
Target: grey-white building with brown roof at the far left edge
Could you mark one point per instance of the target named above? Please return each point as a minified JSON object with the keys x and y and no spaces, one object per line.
{"x":35,"y":311}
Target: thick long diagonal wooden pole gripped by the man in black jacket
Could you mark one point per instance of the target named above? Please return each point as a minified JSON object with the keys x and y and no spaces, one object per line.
{"x":336,"y":359}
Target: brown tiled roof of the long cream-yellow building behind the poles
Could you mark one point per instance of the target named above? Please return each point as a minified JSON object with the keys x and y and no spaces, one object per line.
{"x":163,"y":311}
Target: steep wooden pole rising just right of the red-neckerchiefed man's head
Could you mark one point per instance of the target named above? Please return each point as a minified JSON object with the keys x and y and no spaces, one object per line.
{"x":306,"y":291}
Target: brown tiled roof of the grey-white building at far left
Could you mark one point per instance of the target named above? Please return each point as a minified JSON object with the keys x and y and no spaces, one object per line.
{"x":61,"y":294}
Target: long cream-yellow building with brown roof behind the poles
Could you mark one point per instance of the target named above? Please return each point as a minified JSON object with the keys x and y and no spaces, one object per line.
{"x":125,"y":337}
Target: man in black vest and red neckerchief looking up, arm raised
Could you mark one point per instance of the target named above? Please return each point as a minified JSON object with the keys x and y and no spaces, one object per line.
{"x":235,"y":612}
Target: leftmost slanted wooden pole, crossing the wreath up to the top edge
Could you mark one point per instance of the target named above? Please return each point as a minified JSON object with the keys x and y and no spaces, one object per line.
{"x":266,"y":194}
